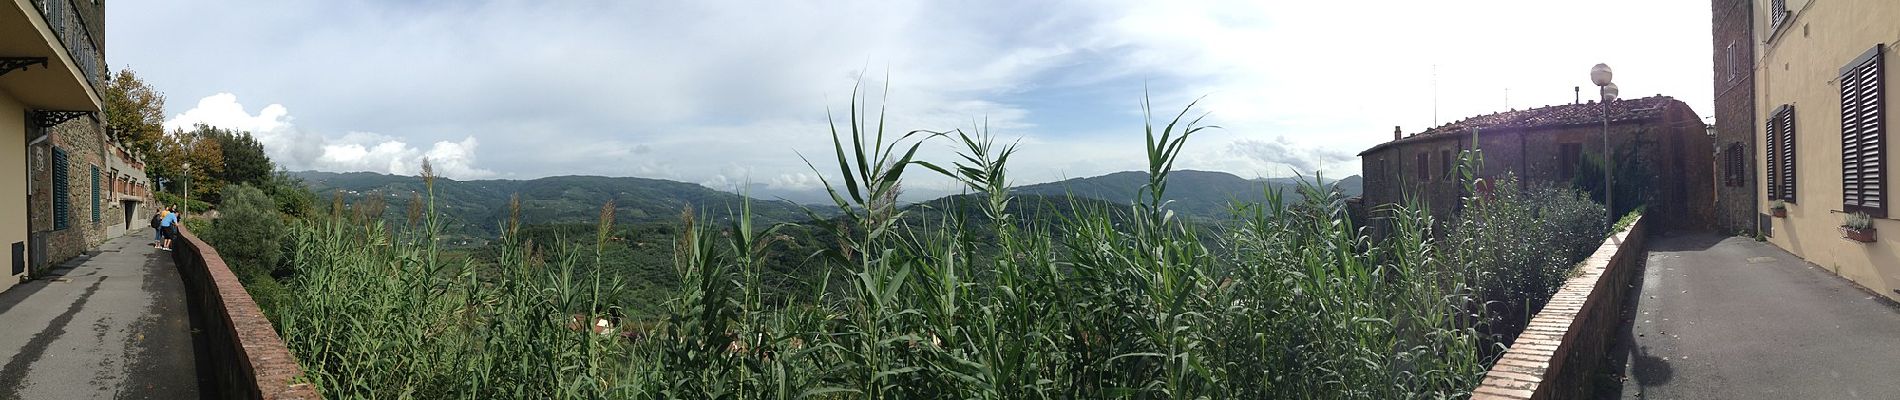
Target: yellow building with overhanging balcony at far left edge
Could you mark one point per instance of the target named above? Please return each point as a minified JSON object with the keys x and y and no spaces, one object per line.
{"x":50,"y":73}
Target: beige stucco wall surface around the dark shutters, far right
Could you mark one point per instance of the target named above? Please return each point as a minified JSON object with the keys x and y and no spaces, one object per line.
{"x":1800,"y":65}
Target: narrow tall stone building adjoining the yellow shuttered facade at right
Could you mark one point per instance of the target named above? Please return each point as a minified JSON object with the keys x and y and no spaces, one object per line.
{"x":1736,"y":117}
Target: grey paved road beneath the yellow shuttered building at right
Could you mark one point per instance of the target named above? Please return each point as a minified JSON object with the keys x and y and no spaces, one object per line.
{"x":1730,"y":318}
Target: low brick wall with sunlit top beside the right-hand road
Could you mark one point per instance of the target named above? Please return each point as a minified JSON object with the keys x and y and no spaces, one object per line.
{"x":1567,"y":342}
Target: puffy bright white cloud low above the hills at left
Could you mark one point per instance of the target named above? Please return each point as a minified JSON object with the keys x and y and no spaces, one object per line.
{"x":295,"y":149}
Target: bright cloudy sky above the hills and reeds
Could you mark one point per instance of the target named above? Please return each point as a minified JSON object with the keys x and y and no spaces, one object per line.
{"x":731,"y":94}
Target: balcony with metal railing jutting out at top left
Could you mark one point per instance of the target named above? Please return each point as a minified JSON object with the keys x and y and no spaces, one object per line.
{"x":48,"y":56}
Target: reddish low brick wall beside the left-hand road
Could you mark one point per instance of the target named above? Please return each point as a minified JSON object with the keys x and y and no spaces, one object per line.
{"x":248,"y":355}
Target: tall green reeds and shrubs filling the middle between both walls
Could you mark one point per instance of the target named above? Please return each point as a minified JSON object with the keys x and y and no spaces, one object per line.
{"x":976,"y":297}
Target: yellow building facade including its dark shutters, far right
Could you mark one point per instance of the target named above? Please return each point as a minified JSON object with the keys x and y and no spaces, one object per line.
{"x":1819,"y":62}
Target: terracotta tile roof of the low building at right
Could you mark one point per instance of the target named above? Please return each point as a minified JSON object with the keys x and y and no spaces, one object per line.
{"x":1549,"y":117}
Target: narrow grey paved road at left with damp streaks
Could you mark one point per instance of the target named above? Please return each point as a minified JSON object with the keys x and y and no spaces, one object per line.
{"x":113,"y":325}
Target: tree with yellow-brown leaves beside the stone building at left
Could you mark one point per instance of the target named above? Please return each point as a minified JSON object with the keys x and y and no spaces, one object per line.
{"x":136,"y":113}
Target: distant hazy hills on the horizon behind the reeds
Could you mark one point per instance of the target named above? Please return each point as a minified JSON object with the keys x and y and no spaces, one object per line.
{"x":476,"y":208}
